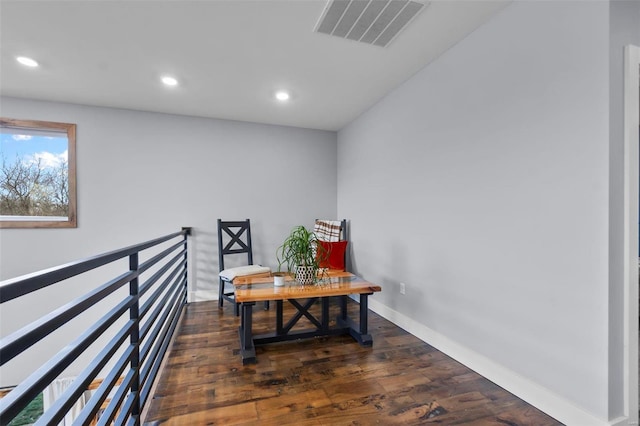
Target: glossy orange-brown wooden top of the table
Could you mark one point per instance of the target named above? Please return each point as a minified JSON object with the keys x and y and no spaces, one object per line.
{"x":335,"y":283}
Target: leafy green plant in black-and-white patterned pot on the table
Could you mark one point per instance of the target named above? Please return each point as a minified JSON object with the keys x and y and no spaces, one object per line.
{"x":301,"y":253}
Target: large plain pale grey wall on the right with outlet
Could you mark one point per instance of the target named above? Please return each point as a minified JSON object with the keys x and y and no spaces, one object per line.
{"x":490,"y":168}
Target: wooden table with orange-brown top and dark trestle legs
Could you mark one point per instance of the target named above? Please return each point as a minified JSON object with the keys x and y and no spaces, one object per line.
{"x":252,"y":289}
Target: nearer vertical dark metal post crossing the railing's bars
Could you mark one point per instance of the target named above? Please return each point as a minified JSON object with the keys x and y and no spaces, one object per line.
{"x":134,"y":314}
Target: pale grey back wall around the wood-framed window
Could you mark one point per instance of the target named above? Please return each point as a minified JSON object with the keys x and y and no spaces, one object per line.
{"x":142,"y":175}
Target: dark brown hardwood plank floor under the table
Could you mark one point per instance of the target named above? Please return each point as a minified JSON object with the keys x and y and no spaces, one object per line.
{"x":323,"y":381}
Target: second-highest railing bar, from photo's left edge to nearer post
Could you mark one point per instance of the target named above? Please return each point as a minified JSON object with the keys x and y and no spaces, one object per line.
{"x":20,"y":340}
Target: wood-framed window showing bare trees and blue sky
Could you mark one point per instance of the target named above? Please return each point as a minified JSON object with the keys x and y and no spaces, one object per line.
{"x":37,"y":174}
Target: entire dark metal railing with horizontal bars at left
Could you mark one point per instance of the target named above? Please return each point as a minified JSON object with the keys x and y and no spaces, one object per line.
{"x":134,"y":351}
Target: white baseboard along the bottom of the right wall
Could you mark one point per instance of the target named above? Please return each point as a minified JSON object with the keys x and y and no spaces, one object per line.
{"x":525,"y":389}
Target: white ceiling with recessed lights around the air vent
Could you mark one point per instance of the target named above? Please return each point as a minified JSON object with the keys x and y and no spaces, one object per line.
{"x":229,"y":56}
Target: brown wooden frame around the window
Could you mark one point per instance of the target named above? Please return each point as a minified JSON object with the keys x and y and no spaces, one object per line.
{"x":70,"y":130}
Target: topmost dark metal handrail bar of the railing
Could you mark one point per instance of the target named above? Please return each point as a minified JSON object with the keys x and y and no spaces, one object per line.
{"x":19,"y":286}
